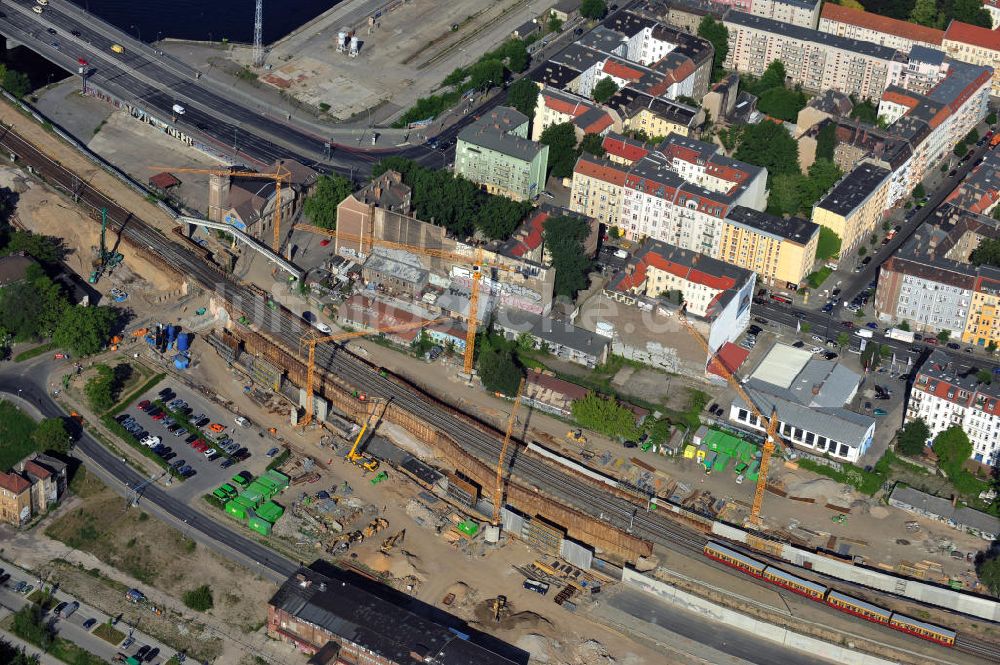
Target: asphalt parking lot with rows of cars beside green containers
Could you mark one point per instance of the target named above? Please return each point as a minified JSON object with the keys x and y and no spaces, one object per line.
{"x":221,"y":447}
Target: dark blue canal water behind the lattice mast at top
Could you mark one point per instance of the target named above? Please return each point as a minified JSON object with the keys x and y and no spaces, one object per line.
{"x":209,"y":20}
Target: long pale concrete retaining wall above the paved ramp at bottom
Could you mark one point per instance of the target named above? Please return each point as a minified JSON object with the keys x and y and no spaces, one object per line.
{"x":758,"y":628}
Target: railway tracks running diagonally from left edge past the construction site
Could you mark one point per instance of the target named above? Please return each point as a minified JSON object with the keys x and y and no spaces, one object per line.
{"x":480,"y":439}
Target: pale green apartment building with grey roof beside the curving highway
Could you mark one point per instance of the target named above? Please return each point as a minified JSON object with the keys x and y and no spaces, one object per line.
{"x":495,"y":152}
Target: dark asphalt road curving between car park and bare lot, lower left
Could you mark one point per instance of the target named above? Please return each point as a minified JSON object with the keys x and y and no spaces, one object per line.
{"x":27,"y":380}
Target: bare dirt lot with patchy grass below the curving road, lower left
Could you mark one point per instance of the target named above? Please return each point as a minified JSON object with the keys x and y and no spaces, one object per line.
{"x":97,"y":550}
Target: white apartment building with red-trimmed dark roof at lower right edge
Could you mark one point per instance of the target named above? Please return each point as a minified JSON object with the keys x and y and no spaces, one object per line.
{"x":947,"y":393}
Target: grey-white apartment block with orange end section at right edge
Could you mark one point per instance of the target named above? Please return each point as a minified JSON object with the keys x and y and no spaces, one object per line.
{"x":930,"y":283}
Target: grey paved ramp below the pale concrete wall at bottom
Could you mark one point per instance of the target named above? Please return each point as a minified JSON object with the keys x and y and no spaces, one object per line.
{"x":730,"y":641}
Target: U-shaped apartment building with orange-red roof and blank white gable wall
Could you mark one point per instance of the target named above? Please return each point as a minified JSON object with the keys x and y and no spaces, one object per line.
{"x":716,"y":295}
